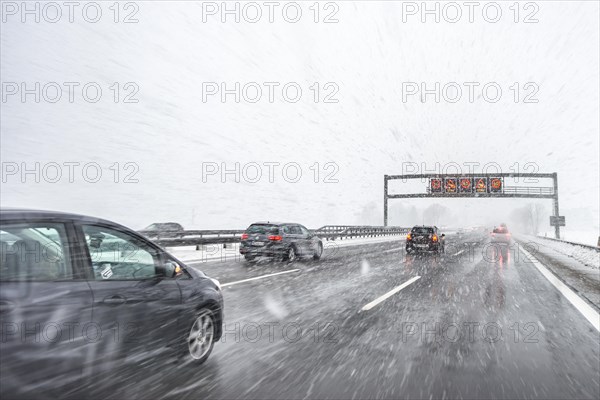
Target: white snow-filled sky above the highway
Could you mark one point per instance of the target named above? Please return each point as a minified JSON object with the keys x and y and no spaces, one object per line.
{"x":177,"y":51}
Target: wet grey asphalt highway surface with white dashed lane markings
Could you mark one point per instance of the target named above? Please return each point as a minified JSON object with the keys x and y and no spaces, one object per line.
{"x":474,"y":325}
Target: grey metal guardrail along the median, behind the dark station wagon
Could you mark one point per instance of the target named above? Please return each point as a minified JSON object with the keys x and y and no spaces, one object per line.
{"x":327,"y":232}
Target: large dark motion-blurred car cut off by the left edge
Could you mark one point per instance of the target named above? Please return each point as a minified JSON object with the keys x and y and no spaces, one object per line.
{"x":80,"y":295}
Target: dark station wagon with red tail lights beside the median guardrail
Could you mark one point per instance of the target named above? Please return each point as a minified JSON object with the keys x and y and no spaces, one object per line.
{"x":285,"y":241}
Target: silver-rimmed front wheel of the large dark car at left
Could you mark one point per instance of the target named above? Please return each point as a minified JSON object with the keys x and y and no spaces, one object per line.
{"x":200,"y":338}
